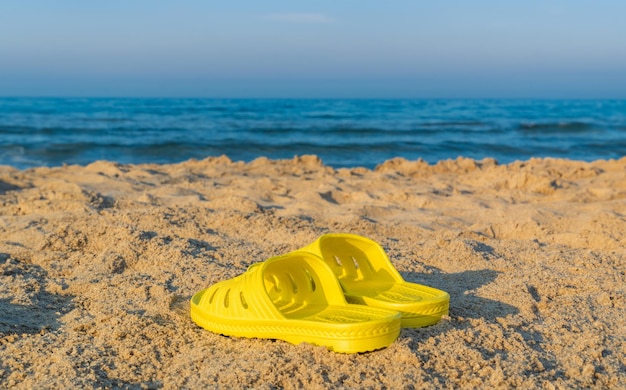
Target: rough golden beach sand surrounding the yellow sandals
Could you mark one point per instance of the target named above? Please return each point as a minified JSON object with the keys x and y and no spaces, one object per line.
{"x":98,"y":263}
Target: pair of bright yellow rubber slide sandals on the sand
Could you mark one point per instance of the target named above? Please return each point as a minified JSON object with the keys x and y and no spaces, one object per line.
{"x":341,"y":292}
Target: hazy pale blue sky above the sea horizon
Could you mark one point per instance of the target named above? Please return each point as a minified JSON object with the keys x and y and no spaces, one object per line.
{"x":314,"y":49}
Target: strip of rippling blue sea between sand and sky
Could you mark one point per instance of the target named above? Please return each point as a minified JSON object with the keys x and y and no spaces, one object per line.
{"x":343,"y":133}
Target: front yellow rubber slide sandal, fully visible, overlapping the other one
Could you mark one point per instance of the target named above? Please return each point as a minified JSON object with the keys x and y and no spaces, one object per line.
{"x":296,"y":298}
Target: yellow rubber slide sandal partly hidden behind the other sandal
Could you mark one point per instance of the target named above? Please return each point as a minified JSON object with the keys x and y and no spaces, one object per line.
{"x":368,"y":278}
